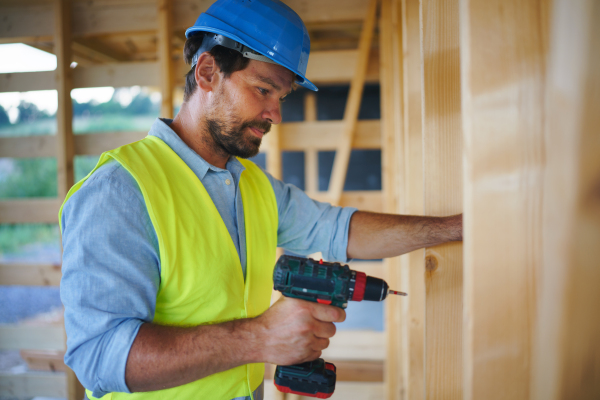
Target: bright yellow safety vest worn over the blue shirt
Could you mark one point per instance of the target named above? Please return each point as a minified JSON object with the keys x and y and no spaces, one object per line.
{"x":201,"y":279}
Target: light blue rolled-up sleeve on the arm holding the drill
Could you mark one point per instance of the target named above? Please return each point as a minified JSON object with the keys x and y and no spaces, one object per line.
{"x":111,"y":275}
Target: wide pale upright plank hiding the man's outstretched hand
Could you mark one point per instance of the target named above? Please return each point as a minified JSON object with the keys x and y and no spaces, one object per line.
{"x":503,"y":119}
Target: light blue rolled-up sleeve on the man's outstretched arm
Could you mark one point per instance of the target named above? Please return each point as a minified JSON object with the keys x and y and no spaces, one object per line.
{"x":307,"y":226}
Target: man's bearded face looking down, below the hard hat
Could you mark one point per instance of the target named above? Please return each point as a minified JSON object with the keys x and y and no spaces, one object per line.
{"x":245,"y":105}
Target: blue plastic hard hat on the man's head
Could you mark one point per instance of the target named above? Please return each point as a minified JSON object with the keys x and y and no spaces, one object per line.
{"x":267,"y":27}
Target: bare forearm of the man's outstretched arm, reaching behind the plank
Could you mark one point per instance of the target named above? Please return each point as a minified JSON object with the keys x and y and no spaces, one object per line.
{"x":374,"y":235}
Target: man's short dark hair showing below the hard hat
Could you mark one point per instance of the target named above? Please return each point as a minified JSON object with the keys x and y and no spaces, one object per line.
{"x":228,"y":61}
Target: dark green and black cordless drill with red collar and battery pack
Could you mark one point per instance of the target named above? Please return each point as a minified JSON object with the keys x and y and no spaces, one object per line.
{"x":325,"y":283}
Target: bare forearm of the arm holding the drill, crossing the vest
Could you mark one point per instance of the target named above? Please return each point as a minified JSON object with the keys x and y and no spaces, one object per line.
{"x":163,"y":356}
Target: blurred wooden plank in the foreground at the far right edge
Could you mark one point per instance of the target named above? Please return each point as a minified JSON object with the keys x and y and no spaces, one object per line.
{"x":567,"y":351}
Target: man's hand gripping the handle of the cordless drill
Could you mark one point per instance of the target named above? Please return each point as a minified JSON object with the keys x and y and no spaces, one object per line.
{"x":295,"y":331}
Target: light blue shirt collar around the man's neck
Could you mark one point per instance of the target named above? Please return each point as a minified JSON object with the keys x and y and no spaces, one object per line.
{"x":161,"y":129}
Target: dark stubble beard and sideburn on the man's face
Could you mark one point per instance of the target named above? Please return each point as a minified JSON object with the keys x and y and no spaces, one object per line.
{"x":228,"y":132}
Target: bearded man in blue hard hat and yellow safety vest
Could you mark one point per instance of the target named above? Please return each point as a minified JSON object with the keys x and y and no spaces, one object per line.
{"x":169,"y":243}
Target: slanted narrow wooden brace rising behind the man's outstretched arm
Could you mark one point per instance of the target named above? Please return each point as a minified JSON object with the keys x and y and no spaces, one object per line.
{"x":344,"y":148}
